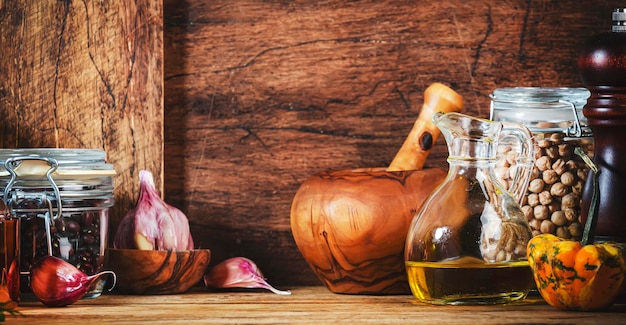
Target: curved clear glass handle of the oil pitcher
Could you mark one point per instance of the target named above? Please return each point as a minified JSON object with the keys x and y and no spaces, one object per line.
{"x":520,"y":138}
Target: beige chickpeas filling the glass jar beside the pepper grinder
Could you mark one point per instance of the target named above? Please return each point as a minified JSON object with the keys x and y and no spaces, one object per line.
{"x":557,"y":179}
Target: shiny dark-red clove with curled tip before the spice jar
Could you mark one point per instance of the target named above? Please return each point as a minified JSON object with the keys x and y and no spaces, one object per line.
{"x":57,"y":283}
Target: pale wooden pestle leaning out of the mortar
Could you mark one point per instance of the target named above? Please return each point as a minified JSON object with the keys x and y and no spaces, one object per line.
{"x":413,"y":153}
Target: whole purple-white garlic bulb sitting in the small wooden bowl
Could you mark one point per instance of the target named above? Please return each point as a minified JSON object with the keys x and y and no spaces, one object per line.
{"x":153,"y":224}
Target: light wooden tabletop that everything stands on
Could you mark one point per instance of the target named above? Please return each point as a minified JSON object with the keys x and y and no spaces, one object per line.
{"x":305,"y":305}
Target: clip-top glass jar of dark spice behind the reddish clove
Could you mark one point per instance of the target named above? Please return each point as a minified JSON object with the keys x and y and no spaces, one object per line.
{"x":61,"y":198}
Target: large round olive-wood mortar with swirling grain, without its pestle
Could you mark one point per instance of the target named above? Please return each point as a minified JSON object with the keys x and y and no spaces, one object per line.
{"x":351,"y":226}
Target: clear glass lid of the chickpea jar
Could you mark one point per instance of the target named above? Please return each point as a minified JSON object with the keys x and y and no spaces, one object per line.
{"x":542,"y":109}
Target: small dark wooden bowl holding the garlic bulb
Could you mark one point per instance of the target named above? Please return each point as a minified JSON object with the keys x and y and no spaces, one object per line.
{"x":157,"y":272}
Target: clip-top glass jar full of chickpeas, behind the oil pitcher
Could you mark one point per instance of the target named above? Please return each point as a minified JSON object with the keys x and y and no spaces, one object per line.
{"x":552,"y":203}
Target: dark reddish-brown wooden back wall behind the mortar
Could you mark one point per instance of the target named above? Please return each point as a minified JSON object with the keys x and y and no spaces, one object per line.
{"x":261,"y":95}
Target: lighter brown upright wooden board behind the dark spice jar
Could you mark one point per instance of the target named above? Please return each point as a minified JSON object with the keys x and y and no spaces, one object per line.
{"x":85,"y":74}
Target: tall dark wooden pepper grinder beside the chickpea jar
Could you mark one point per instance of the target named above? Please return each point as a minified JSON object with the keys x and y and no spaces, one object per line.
{"x":602,"y":68}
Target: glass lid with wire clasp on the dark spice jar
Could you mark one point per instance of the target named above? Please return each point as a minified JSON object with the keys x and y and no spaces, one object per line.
{"x":63,"y":179}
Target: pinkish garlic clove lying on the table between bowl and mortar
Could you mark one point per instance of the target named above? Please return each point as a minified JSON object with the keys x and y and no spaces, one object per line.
{"x":238,"y":272}
